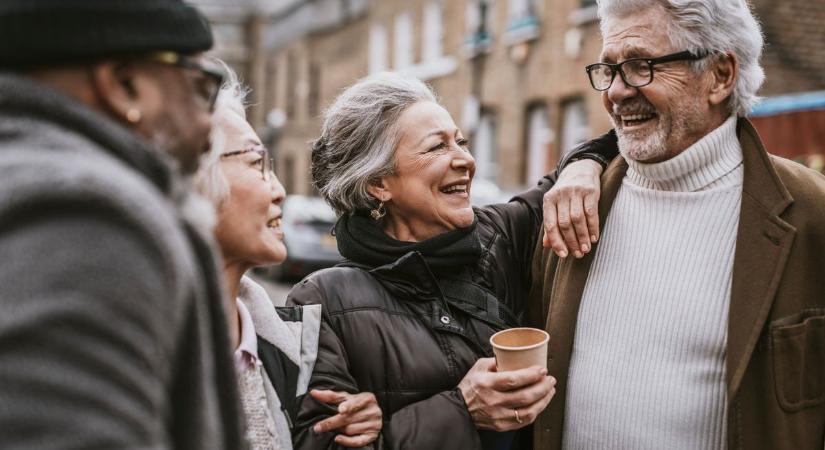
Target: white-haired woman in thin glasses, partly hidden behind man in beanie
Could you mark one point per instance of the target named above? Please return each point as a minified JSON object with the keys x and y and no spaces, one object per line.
{"x":275,"y":348}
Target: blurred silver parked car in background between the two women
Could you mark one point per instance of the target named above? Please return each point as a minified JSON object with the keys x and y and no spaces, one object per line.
{"x":307,"y":225}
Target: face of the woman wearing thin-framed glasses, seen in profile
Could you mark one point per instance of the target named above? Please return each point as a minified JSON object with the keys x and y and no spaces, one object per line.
{"x":249,"y":220}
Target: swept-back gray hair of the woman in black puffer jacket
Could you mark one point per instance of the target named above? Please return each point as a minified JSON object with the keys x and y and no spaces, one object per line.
{"x":359,"y":136}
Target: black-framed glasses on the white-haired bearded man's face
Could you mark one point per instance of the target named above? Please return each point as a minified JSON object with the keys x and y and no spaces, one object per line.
{"x":635,"y":72}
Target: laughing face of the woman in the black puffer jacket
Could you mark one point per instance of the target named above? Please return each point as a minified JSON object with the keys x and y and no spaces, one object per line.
{"x":429,"y":192}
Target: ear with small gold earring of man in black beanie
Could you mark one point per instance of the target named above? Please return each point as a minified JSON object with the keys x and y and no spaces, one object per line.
{"x":120,"y":89}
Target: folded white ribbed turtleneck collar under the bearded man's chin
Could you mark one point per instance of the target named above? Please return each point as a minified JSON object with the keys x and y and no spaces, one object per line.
{"x":701,"y":166}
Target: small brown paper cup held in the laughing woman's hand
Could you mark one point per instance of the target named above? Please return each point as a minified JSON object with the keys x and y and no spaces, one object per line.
{"x":517,"y":348}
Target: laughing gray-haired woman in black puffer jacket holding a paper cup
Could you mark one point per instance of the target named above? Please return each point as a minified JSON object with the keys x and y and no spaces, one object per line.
{"x":427,"y":278}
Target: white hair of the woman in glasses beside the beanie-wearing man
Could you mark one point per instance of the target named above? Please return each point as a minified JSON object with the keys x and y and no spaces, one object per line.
{"x":210,"y":181}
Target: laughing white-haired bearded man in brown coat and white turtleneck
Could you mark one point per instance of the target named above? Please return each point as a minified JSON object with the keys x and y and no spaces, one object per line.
{"x":698,"y":321}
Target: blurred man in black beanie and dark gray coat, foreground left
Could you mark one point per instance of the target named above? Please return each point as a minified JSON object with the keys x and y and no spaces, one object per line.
{"x":111,"y":328}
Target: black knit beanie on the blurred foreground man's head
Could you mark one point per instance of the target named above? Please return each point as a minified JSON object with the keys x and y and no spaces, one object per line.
{"x":46,"y":32}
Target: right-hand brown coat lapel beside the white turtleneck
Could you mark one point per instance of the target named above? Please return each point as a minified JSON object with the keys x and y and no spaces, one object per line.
{"x":763,"y":243}
